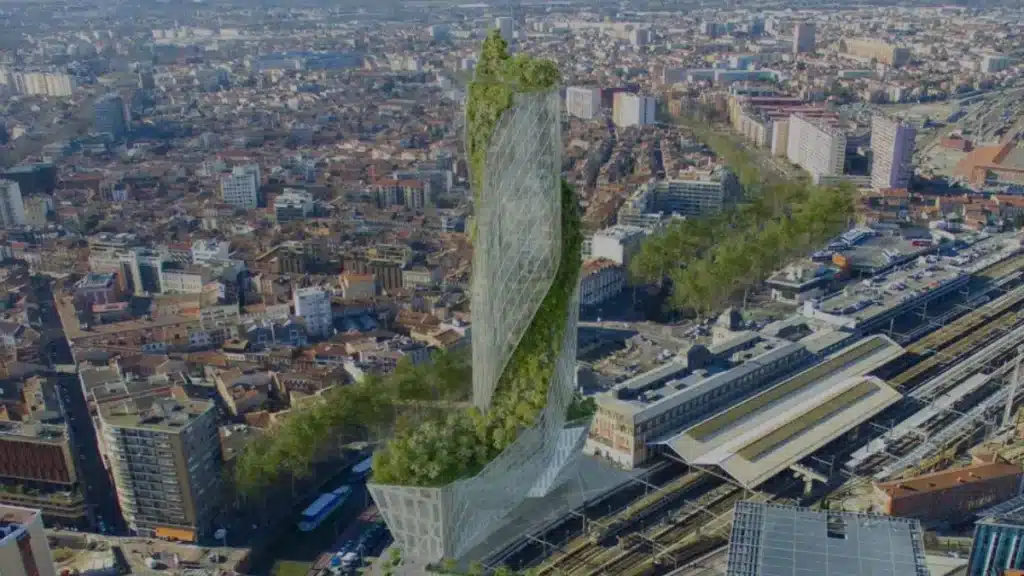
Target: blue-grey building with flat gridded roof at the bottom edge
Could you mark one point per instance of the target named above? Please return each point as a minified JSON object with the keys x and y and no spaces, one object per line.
{"x":782,"y":541}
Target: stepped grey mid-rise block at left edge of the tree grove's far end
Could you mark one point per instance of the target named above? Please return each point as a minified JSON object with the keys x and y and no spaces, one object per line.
{"x":707,"y":193}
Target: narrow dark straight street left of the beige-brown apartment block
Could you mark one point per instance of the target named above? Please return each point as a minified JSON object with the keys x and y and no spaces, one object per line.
{"x":101,"y":498}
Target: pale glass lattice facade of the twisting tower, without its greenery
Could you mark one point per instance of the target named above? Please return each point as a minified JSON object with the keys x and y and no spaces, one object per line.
{"x":517,"y":259}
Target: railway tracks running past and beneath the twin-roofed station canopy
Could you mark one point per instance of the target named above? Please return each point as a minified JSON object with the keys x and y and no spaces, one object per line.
{"x":955,"y":377}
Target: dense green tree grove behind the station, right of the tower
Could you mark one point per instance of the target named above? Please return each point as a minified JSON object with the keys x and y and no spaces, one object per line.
{"x":714,"y":261}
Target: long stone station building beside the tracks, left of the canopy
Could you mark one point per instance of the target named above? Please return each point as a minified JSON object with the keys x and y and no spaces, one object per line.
{"x":685,"y":391}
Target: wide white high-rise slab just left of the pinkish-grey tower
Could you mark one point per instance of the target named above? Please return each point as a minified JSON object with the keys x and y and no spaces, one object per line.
{"x":817,"y":146}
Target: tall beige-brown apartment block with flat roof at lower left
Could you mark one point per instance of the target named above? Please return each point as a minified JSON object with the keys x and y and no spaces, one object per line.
{"x":164,"y":455}
